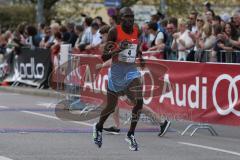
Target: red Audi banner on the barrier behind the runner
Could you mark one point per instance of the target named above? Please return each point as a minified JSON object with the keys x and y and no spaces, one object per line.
{"x":200,"y":92}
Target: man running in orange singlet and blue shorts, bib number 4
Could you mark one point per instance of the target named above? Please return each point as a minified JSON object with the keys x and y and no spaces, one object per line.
{"x":124,"y":77}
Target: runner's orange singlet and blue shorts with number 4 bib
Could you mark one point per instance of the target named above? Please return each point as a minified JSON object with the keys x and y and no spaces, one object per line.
{"x":123,"y":69}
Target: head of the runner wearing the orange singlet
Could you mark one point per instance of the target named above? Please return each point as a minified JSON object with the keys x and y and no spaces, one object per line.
{"x":127,"y":18}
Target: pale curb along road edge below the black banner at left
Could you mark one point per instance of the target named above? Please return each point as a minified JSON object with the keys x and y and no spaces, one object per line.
{"x":32,"y":91}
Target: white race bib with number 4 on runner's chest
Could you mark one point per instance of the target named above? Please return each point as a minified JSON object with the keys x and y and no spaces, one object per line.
{"x":128,"y":55}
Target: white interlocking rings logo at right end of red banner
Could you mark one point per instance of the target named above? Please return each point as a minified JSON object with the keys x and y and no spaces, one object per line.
{"x":232,"y":100}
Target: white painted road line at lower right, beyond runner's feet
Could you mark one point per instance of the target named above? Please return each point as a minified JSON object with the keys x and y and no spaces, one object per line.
{"x":210,"y":148}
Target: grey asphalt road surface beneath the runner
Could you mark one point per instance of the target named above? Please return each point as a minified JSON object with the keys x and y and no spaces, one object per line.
{"x":29,"y":130}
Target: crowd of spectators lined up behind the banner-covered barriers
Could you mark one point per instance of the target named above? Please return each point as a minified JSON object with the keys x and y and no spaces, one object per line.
{"x":204,"y":37}
